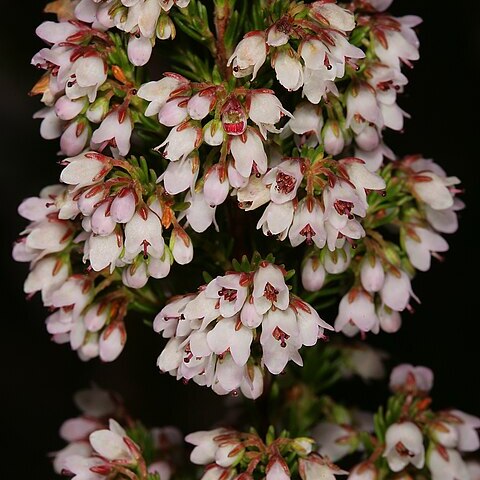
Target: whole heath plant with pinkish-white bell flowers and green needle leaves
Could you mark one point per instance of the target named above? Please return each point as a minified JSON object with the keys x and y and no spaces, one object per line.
{"x":234,"y":149}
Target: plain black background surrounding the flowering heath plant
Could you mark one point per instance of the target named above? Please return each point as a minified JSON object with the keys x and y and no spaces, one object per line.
{"x":38,"y":378}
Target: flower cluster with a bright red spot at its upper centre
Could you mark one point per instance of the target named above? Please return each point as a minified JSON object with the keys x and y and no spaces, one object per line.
{"x":184,"y":105}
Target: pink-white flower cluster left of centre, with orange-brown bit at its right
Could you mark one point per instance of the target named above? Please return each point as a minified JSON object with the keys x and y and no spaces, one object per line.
{"x":123,"y":217}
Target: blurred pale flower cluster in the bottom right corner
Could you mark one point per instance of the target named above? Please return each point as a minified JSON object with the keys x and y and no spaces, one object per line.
{"x":409,"y":437}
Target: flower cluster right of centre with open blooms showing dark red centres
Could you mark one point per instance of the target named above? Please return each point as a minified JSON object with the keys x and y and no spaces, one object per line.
{"x":326,"y":209}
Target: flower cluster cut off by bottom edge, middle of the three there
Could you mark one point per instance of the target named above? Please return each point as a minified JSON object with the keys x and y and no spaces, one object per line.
{"x":230,"y":454}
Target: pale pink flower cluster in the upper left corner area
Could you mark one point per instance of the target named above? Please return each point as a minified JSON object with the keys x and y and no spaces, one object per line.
{"x":87,"y":90}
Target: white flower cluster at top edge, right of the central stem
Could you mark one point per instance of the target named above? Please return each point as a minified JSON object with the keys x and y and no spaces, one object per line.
{"x":320,"y":31}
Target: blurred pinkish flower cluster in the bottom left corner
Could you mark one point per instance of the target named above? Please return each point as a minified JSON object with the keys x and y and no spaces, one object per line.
{"x":99,"y":448}
